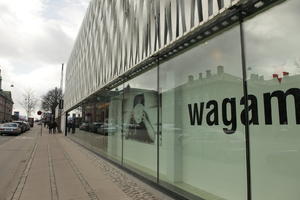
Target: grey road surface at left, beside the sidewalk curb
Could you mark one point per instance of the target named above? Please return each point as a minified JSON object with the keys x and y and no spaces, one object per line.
{"x":14,"y":153}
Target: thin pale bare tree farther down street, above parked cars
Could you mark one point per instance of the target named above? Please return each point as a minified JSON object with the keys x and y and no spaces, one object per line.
{"x":29,"y":102}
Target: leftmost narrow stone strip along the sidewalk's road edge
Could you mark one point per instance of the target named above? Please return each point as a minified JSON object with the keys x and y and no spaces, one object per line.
{"x":17,"y":193}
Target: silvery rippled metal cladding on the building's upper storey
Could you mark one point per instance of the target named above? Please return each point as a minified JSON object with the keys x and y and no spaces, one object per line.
{"x":117,"y":35}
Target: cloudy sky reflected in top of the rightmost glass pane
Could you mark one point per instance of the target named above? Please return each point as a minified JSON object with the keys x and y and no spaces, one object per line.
{"x":271,"y":43}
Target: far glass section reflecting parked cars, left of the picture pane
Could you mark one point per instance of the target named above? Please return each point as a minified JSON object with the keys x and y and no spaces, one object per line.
{"x":97,"y":123}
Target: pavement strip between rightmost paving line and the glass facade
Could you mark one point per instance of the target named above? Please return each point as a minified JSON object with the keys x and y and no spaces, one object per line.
{"x":106,"y":178}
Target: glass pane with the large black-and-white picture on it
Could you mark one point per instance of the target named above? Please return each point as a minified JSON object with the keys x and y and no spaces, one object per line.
{"x":140,"y":123}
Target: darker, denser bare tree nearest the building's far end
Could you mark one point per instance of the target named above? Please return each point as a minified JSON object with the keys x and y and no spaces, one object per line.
{"x":51,"y":100}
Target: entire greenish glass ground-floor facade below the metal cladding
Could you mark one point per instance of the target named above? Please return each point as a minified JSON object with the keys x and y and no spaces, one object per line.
{"x":183,"y":124}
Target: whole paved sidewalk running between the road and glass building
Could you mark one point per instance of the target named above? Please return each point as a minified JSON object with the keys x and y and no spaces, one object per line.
{"x":60,"y":169}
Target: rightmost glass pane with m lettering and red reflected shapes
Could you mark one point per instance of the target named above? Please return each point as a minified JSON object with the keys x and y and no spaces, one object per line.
{"x":273,"y":66}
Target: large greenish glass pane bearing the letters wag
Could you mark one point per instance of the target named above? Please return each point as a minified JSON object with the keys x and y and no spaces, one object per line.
{"x":202,"y":149}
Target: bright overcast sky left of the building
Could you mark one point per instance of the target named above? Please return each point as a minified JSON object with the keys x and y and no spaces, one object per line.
{"x":36,"y":37}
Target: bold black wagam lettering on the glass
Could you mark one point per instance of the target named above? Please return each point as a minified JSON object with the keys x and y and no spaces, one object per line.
{"x":229,"y":106}
